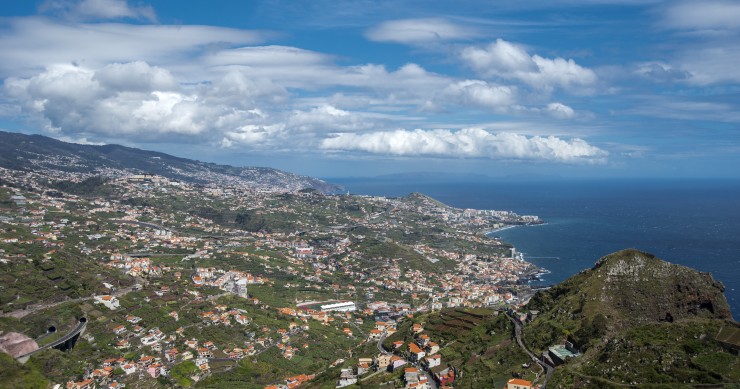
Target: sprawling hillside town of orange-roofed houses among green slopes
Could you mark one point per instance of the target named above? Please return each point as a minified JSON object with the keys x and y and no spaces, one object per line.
{"x":188,"y":283}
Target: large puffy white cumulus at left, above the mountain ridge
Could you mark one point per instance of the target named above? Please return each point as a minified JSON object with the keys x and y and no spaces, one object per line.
{"x":75,"y":99}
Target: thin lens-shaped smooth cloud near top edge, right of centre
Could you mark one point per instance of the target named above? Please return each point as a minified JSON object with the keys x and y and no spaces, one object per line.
{"x":419,"y":31}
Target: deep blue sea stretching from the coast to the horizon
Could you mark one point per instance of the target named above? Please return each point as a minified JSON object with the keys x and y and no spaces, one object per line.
{"x":695,"y":223}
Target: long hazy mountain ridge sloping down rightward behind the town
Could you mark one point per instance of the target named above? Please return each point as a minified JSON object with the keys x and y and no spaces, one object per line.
{"x":38,"y":153}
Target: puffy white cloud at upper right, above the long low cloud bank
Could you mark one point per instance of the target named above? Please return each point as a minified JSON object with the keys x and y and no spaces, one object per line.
{"x":506,"y":60}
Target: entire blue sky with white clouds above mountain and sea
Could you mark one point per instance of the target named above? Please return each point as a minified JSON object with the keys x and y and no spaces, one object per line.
{"x":553,"y":88}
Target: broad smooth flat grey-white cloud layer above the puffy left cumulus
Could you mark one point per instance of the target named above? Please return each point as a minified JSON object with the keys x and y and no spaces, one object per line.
{"x":34,"y":43}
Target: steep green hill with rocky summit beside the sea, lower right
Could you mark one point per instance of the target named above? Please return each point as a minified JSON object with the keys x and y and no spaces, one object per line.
{"x":638,"y":320}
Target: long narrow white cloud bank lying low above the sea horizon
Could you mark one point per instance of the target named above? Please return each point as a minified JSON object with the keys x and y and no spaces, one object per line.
{"x":470,"y":142}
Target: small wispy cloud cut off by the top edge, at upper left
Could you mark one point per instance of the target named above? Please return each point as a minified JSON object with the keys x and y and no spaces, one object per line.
{"x":98,"y":9}
